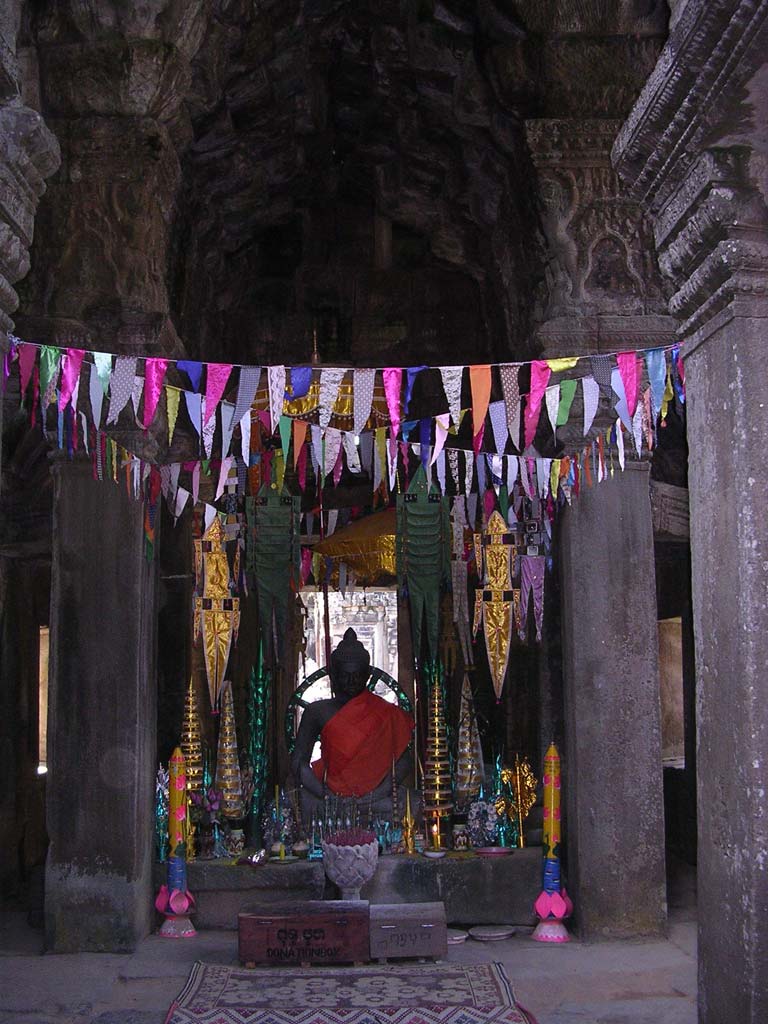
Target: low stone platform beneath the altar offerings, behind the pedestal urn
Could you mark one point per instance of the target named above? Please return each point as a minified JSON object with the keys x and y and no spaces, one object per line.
{"x":476,"y":890}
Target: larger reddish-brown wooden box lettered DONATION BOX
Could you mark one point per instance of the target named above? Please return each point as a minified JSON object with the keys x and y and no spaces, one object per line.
{"x":311,"y":932}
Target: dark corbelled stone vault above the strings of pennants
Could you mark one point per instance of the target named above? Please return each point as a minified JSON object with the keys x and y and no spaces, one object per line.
{"x":353,"y":167}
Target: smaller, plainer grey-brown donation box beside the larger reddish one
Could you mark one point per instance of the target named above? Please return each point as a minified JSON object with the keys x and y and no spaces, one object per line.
{"x":408,"y":930}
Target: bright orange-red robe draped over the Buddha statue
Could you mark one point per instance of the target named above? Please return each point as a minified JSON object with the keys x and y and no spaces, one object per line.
{"x":361,"y":743}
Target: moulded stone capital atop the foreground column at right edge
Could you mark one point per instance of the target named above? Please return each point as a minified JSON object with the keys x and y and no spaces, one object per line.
{"x":690,"y":152}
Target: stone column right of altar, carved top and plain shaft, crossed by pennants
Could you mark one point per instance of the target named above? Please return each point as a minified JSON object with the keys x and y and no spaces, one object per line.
{"x":605,"y":294}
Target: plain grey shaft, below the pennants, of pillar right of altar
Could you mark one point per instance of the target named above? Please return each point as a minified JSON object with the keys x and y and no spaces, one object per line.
{"x":614,"y":785}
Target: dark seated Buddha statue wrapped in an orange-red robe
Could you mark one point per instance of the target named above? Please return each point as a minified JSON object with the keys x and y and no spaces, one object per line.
{"x":364,"y":739}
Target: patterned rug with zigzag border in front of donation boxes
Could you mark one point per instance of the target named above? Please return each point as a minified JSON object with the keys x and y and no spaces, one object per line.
{"x":418,"y":994}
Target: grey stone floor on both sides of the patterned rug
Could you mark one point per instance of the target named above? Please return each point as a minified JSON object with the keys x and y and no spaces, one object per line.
{"x":638,"y":983}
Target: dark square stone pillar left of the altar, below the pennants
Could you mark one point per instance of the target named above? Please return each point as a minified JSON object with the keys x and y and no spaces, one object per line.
{"x":103,"y":706}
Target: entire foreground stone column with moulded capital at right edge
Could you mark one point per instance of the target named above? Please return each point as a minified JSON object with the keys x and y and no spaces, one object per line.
{"x":693,"y":152}
